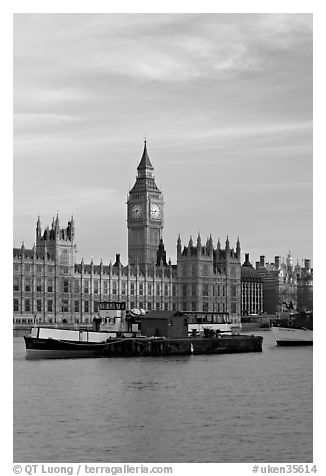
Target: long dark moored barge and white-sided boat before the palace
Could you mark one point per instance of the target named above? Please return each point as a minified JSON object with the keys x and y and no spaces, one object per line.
{"x":159,"y":333}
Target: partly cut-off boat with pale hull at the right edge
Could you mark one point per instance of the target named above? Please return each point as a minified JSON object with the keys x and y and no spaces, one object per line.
{"x":295,"y":328}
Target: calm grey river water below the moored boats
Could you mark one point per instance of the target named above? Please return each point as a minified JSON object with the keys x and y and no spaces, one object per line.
{"x":207,"y":409}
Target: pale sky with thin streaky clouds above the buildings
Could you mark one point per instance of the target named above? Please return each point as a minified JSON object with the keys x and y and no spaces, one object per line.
{"x":225,"y":102}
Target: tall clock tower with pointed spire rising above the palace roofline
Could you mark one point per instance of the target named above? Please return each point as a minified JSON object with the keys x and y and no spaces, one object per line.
{"x":144,"y":215}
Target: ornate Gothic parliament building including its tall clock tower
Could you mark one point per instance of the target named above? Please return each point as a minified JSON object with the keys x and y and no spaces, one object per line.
{"x":50,"y":286}
